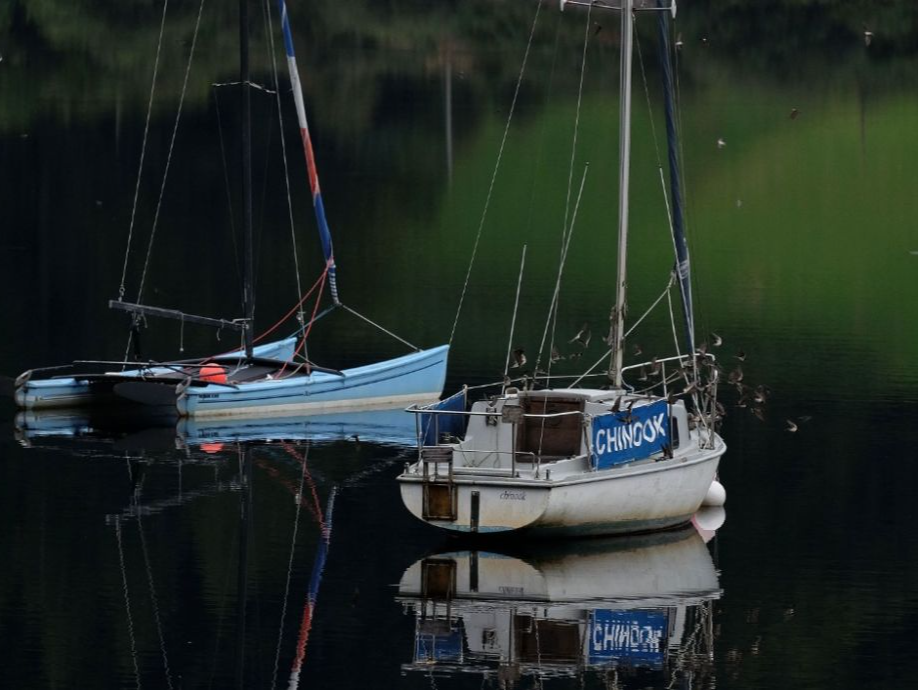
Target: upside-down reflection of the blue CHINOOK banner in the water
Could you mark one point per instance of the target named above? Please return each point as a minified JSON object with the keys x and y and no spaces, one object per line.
{"x":636,"y":637}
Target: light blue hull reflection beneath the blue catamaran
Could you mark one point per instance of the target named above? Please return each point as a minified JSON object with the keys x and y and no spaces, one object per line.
{"x":390,"y":425}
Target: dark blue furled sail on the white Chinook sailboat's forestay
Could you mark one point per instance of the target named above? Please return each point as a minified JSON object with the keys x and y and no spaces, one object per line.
{"x":678,"y":226}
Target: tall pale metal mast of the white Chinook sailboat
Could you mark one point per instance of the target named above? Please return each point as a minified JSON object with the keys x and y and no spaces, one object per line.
{"x":618,"y":345}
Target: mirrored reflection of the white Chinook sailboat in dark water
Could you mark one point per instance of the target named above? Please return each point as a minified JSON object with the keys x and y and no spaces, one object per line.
{"x":631,"y":605}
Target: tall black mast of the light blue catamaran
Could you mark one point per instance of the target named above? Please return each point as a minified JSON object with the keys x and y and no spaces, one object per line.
{"x":248,"y":282}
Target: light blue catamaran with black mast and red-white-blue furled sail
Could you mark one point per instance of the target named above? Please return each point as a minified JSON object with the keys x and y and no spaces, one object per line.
{"x":268,"y":379}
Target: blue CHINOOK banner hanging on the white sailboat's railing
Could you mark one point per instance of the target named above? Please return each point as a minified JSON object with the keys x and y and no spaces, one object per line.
{"x":621,"y":437}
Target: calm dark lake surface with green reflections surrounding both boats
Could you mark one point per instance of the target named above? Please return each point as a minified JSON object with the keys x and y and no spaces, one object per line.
{"x":174,"y":556}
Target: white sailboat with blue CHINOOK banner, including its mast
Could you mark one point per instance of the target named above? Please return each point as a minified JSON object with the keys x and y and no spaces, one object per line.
{"x":578,"y":460}
